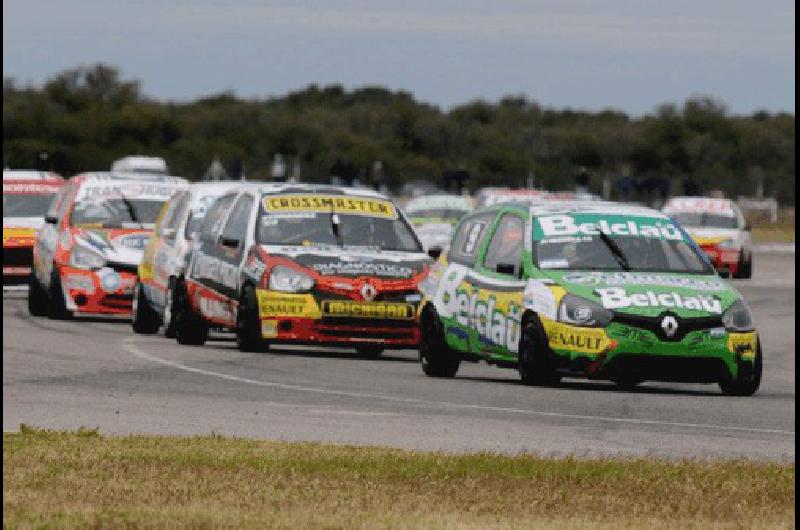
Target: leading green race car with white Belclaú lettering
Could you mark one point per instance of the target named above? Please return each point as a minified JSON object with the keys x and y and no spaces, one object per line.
{"x":585,"y":289}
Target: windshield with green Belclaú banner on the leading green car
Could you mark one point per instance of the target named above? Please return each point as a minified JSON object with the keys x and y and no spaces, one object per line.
{"x":613,"y":243}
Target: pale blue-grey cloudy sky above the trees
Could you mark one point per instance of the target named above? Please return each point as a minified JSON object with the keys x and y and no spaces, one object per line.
{"x":626,"y":55}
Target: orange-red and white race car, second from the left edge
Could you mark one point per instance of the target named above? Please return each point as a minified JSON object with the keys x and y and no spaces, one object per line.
{"x":86,"y":256}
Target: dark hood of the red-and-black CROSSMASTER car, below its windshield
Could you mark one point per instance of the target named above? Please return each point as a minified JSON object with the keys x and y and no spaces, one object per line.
{"x":354,"y":262}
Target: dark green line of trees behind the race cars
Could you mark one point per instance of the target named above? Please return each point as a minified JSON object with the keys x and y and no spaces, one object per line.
{"x":86,"y":117}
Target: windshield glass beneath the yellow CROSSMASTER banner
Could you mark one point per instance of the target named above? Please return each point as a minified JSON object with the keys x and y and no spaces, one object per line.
{"x":309,"y":228}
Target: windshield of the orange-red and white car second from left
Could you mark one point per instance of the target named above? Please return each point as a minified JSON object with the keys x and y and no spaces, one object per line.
{"x":119,"y":212}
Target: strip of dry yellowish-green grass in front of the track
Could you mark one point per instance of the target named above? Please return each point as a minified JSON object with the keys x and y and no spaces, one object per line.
{"x":82,"y":479}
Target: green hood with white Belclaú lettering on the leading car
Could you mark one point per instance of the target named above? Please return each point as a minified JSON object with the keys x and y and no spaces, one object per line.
{"x":650,"y":294}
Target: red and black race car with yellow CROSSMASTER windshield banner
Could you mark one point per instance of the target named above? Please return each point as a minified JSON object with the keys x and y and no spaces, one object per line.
{"x":304,"y":264}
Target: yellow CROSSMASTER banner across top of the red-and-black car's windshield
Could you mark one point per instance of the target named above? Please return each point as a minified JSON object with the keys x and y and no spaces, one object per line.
{"x":328,"y":203}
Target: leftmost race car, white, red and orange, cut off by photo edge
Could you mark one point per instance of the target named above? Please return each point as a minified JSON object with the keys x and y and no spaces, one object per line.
{"x":26,"y":197}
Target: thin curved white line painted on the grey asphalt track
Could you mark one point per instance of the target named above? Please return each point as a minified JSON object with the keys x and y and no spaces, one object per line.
{"x":128,"y":344}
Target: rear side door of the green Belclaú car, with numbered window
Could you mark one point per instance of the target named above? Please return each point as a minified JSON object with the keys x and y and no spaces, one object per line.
{"x":453,"y":297}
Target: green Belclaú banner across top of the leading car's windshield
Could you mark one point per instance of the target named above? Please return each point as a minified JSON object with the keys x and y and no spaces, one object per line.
{"x":593,"y":224}
